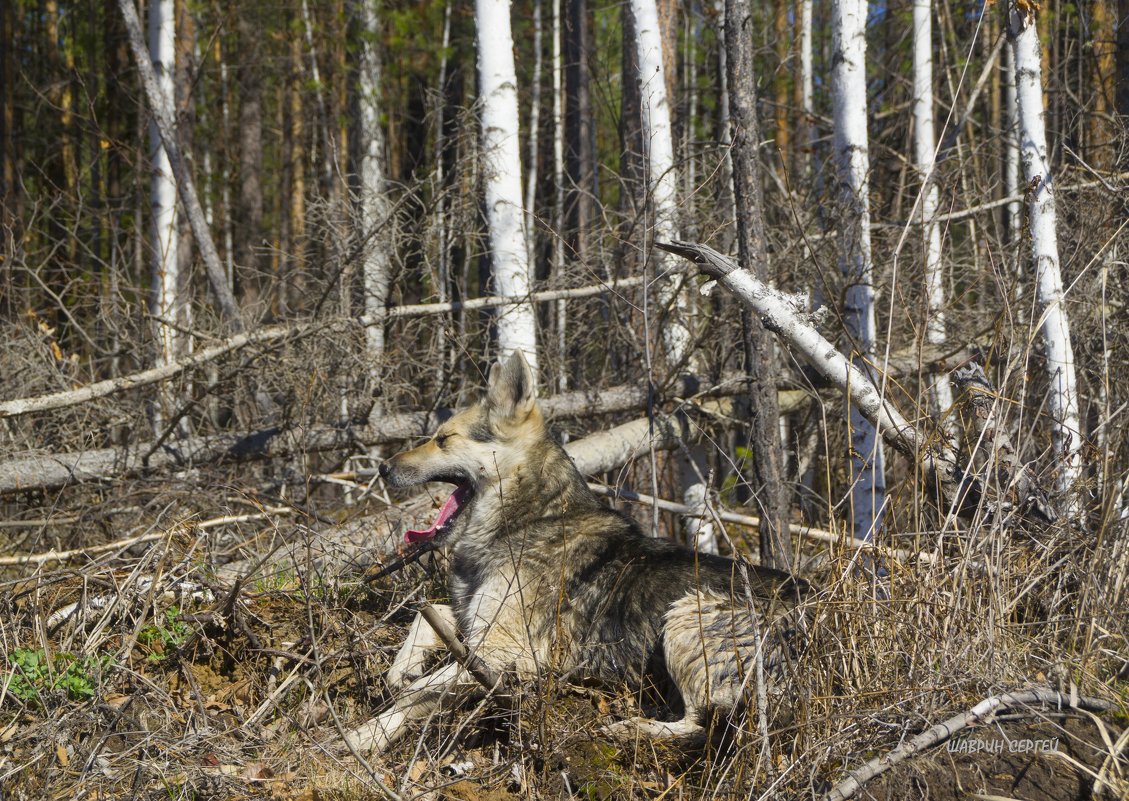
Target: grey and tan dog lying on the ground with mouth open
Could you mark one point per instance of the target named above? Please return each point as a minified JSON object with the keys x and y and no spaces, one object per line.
{"x":545,"y":577}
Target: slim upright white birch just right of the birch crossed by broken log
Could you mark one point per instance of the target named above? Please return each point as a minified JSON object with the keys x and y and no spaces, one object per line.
{"x":925,"y":149}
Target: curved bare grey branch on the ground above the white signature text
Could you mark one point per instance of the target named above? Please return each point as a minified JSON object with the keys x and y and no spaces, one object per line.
{"x":943,"y":732}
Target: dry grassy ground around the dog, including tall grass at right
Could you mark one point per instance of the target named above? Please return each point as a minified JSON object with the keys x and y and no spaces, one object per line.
{"x":165,"y":685}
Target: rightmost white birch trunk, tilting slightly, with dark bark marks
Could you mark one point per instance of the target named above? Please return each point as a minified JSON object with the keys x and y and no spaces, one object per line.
{"x":1063,"y":400}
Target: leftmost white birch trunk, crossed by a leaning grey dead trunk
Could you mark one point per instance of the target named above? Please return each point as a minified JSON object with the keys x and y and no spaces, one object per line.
{"x":165,"y":302}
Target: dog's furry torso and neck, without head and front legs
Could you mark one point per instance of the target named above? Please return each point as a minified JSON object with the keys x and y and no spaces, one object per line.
{"x":600,"y":599}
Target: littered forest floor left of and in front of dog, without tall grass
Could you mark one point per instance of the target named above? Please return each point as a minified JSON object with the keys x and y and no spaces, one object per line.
{"x":224,"y":659}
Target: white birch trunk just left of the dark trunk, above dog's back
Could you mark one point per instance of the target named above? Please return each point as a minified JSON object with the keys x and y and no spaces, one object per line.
{"x":662,"y":185}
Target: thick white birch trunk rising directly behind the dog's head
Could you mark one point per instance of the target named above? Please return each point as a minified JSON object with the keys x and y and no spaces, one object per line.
{"x":503,"y":177}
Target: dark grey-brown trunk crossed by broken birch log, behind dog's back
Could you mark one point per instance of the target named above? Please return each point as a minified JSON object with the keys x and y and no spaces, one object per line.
{"x":768,"y":487}
